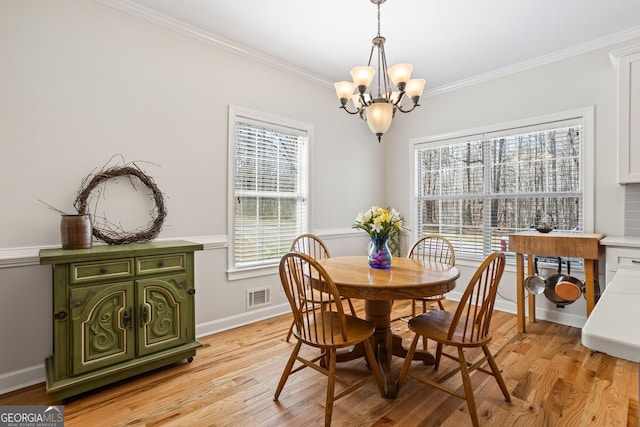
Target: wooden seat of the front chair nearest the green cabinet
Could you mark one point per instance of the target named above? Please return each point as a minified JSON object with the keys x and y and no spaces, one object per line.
{"x":357,"y":331}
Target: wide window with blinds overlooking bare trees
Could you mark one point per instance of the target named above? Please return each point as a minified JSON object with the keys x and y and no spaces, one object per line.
{"x":477,"y":188}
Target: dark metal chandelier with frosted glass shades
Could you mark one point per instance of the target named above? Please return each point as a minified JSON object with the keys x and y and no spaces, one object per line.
{"x":378,"y":110}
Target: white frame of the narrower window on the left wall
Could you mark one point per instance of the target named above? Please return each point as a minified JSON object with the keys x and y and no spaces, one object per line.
{"x":264,"y":119}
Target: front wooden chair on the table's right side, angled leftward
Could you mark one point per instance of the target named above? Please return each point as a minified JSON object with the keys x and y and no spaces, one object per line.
{"x":468,"y":327}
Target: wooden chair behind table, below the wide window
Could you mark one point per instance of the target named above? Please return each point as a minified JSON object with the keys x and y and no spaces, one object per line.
{"x":436,"y":248}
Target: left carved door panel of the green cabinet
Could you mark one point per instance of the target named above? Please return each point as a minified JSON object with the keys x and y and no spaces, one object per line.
{"x":102,"y":325}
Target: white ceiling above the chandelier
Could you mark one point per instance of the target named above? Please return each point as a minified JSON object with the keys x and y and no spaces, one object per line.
{"x":447,"y":41}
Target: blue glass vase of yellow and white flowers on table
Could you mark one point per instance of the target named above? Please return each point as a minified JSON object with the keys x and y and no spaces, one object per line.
{"x":380,"y":224}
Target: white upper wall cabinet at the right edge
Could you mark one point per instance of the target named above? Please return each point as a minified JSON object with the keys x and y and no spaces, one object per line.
{"x":628,"y":63}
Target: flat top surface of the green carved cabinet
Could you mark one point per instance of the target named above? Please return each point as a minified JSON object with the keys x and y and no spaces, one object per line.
{"x":60,"y":256}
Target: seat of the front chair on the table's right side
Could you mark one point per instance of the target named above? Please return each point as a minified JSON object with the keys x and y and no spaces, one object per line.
{"x":435,"y":325}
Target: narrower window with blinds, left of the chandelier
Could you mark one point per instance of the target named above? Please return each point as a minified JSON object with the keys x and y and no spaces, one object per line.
{"x":268,"y":187}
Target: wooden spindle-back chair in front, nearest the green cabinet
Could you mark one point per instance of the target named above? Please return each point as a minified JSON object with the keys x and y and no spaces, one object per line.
{"x":322,"y":325}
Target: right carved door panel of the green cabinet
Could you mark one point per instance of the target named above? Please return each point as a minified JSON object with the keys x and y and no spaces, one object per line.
{"x":164,"y":304}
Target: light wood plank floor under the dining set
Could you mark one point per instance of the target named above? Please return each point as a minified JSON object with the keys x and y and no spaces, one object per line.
{"x":553,"y":380}
